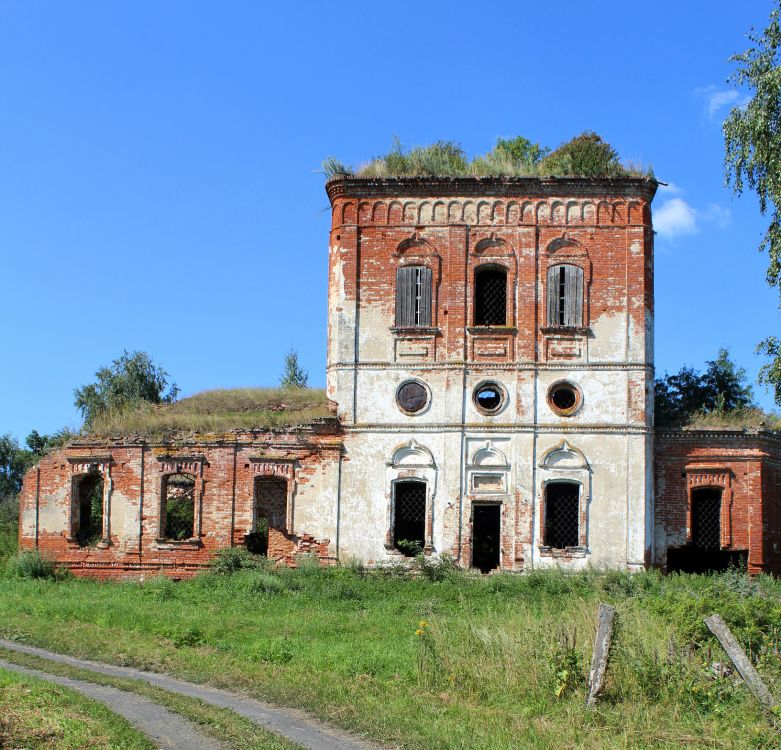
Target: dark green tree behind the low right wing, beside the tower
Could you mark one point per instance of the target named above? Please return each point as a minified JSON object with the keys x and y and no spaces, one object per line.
{"x":721,"y":388}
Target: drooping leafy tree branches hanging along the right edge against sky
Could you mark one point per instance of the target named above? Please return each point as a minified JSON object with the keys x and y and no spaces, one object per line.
{"x":752,"y":158}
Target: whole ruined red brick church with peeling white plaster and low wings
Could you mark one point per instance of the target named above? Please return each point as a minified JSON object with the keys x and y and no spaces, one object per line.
{"x":490,"y":362}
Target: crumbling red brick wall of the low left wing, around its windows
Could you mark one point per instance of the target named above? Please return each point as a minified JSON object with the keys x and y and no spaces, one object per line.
{"x":226,"y":471}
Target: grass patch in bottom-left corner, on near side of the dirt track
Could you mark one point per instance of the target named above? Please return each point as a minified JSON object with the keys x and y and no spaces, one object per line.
{"x":36,"y":714}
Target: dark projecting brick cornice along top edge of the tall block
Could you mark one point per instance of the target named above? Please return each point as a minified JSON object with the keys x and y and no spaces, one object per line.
{"x":427,"y":187}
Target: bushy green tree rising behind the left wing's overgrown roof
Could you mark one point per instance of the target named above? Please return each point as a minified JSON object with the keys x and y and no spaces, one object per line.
{"x":131,"y":379}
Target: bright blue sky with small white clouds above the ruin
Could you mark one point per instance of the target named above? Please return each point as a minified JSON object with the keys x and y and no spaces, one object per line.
{"x":159,"y":184}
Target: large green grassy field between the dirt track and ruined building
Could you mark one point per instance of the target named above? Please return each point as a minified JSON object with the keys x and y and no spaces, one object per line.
{"x":495,"y":662}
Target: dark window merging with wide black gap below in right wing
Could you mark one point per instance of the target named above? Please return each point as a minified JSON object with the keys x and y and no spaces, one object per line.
{"x":705,"y":554}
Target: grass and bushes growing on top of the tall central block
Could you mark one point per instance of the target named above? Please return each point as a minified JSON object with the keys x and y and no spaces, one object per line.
{"x":586,"y":155}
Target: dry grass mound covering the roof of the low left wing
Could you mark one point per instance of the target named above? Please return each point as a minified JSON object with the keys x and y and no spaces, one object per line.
{"x":218,"y":411}
